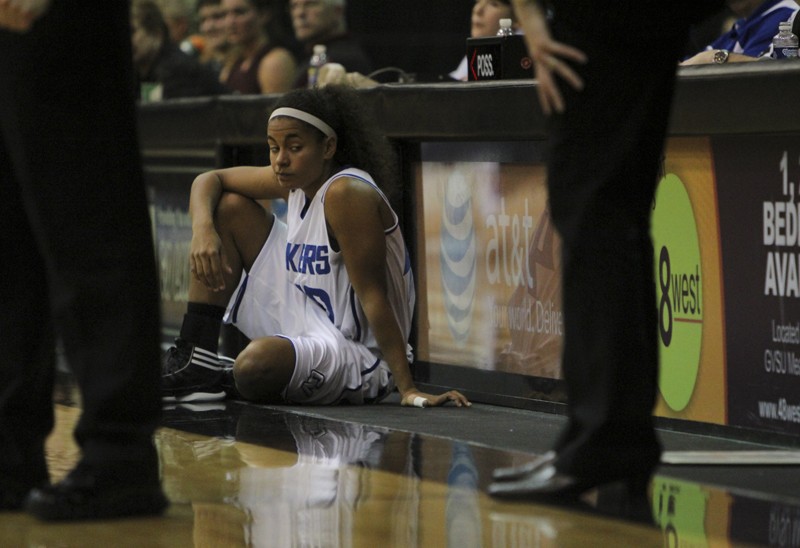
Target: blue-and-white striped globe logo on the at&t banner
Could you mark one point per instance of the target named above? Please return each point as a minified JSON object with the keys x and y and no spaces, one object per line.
{"x":458,"y":255}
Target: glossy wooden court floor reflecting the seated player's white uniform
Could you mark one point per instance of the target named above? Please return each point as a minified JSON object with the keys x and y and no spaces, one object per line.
{"x":266,"y":478}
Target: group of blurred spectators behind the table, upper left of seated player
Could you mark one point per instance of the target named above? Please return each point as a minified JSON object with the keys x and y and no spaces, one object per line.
{"x":190,"y":48}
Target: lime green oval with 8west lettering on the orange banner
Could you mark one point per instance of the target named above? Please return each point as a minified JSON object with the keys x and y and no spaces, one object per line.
{"x":679,"y":291}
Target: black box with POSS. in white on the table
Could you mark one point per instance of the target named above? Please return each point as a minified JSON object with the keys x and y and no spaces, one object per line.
{"x":498,"y":58}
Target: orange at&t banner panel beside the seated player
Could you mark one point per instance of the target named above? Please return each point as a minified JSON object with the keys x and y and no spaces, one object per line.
{"x":488,"y":264}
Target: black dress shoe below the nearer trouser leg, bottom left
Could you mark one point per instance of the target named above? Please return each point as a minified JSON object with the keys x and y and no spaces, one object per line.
{"x":98,"y":492}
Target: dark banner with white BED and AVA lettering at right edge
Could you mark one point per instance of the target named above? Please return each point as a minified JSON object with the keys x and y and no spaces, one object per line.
{"x":758,"y":192}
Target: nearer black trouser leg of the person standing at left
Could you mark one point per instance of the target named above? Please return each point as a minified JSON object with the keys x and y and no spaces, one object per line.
{"x":83,"y":189}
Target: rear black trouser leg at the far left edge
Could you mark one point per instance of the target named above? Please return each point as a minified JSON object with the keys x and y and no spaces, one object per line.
{"x":27,"y":356}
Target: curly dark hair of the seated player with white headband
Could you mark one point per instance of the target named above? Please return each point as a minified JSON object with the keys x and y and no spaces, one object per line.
{"x":359,"y":143}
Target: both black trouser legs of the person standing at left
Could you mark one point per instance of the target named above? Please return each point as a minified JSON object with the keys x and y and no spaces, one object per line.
{"x":76,"y":252}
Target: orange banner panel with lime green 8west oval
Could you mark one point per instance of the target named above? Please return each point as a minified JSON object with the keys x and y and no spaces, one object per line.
{"x":685,"y":234}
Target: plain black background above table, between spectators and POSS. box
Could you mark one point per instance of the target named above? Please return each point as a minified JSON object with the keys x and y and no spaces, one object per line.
{"x":426,"y":37}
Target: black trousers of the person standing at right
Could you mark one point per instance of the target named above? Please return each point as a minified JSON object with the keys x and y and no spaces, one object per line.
{"x":605,"y":155}
